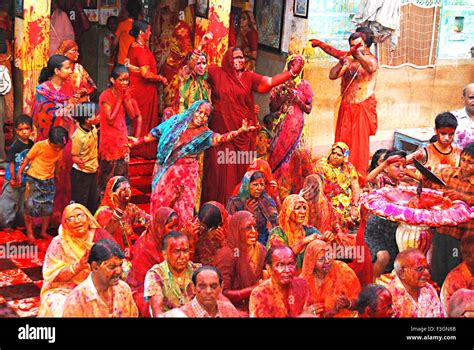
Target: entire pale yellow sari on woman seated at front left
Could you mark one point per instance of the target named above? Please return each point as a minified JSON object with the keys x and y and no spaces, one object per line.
{"x":65,"y":250}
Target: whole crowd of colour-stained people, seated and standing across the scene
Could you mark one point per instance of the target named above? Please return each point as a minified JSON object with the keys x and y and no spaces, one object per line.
{"x":269,"y":237}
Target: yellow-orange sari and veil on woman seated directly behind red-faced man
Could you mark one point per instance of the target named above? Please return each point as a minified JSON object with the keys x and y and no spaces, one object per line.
{"x":283,"y":234}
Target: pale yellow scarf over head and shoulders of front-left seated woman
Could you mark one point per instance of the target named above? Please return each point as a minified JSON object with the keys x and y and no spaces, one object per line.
{"x":72,"y":248}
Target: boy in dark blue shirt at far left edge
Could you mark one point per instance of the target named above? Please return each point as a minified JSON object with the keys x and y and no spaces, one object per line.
{"x":11,"y":201}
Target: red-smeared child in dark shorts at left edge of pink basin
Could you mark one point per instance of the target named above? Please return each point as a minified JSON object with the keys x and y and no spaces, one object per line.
{"x":379,"y":232}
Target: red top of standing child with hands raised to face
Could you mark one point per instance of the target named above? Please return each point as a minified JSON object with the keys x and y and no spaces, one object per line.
{"x":113,"y":138}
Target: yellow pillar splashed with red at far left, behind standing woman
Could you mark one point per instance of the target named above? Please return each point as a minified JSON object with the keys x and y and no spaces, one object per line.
{"x":31,"y":47}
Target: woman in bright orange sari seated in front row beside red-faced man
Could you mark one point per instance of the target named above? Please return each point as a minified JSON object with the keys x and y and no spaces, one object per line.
{"x":333,"y":285}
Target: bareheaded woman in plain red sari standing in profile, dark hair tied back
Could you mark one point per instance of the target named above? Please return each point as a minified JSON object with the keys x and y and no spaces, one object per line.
{"x":143,"y":80}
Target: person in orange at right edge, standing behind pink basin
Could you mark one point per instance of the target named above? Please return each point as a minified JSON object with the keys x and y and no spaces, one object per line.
{"x":446,"y":239}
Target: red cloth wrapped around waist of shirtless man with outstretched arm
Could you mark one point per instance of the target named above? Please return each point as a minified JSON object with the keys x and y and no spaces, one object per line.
{"x":356,"y":122}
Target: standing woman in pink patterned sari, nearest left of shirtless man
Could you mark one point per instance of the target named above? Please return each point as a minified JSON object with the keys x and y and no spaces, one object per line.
{"x":290,"y":102}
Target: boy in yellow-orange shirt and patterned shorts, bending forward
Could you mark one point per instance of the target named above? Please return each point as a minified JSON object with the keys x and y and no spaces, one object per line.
{"x":40,"y":179}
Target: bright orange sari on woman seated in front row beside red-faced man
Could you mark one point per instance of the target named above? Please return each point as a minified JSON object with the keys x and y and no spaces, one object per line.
{"x":339,"y":280}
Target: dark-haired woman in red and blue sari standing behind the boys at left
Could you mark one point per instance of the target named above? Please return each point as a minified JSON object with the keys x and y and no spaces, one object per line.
{"x":53,"y":108}
